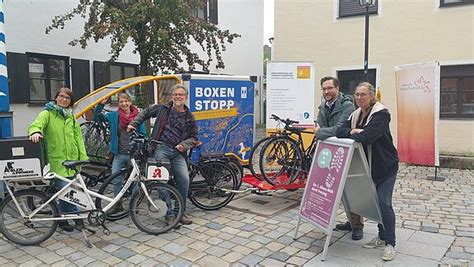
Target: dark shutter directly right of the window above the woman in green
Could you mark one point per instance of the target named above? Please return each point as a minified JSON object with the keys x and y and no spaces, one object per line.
{"x":80,"y":77}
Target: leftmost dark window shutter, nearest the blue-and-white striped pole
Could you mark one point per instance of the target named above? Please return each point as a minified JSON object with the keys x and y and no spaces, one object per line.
{"x":18,"y":78}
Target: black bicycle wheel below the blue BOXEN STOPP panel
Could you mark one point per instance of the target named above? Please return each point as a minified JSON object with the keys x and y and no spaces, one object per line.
{"x":207,"y":184}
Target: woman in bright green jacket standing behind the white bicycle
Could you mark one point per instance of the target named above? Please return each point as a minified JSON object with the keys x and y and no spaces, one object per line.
{"x":57,"y":125}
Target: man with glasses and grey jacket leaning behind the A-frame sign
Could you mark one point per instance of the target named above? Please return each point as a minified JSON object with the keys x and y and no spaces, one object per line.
{"x":333,"y":112}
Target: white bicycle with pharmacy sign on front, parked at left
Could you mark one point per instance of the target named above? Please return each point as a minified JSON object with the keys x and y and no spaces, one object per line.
{"x":29,"y":216}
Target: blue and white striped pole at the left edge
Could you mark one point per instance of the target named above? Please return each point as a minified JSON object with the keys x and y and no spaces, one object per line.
{"x":5,"y":114}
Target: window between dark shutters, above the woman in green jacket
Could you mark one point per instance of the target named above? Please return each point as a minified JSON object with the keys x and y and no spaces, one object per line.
{"x":46,"y":75}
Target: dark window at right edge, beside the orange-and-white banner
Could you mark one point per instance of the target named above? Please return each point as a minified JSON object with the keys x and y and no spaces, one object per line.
{"x":457,"y":91}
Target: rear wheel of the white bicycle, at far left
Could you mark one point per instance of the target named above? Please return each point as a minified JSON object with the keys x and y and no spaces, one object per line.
{"x":21,"y":230}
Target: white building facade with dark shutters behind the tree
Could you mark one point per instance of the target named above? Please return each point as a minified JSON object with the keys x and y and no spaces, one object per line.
{"x":38,"y":63}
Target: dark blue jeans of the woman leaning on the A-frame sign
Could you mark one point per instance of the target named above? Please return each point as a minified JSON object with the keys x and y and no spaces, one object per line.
{"x":384,"y":193}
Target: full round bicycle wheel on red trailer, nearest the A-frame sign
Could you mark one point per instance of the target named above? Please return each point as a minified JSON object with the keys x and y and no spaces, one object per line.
{"x":280,"y":161}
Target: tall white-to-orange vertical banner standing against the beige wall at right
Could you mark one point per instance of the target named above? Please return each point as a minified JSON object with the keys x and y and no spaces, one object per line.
{"x":417,"y":88}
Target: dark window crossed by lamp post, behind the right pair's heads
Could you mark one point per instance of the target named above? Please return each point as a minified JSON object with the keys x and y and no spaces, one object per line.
{"x":349,"y":79}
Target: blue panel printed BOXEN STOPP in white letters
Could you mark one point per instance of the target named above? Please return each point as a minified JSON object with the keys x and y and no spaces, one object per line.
{"x":224,"y":111}
